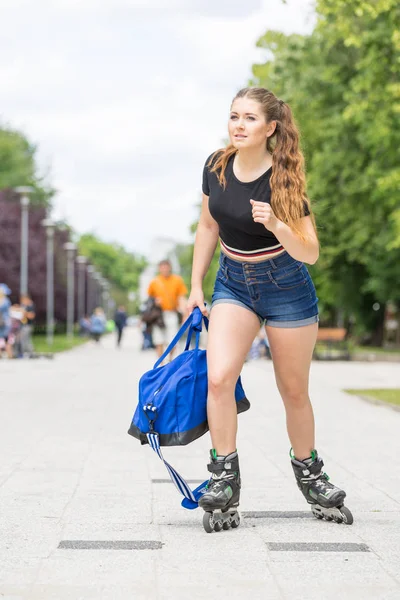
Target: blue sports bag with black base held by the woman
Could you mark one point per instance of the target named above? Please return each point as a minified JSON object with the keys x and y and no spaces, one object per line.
{"x":173,"y":398}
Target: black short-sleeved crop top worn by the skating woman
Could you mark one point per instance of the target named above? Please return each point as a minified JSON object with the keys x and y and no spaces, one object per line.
{"x":232,"y":210}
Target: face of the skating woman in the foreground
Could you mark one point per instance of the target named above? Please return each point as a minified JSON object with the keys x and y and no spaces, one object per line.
{"x":247,"y":126}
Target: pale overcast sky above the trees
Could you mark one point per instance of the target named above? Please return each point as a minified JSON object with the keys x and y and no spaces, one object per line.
{"x":127,"y":98}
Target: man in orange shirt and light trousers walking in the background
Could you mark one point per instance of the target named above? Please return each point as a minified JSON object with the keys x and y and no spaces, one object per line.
{"x":169,"y":292}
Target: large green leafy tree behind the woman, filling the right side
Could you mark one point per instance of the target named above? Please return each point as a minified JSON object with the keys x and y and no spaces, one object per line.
{"x":343,"y":84}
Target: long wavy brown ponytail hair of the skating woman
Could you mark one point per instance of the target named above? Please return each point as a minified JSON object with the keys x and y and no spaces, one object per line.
{"x":288,"y":181}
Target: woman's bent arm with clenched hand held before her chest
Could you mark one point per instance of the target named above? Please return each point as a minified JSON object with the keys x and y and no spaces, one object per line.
{"x":307,"y":251}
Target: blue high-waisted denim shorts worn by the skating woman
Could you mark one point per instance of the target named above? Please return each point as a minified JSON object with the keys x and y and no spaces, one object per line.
{"x":278,"y":290}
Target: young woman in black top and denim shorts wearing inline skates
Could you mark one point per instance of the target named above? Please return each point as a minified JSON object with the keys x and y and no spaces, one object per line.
{"x":255,"y":204}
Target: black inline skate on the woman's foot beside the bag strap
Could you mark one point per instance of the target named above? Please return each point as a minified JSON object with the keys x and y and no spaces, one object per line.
{"x":221,"y":498}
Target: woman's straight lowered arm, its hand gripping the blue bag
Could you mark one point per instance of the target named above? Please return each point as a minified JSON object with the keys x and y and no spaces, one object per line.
{"x":204,"y":247}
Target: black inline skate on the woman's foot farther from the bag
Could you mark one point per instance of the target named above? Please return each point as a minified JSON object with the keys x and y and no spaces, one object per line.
{"x":326,"y":500}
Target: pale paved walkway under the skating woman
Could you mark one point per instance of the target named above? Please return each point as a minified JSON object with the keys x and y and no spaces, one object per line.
{"x":71,"y":478}
